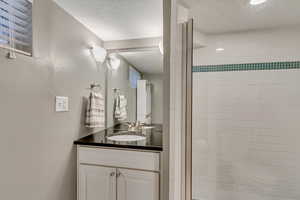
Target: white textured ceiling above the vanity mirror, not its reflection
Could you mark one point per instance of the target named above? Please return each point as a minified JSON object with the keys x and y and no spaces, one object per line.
{"x":118,"y":19}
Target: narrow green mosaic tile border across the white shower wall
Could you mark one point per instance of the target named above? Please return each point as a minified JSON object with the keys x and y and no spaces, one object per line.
{"x":248,"y":67}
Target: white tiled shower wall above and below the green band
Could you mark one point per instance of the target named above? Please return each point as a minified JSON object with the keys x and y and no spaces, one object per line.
{"x":246,"y":130}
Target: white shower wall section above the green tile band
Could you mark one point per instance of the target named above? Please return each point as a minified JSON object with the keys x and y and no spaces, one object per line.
{"x":250,"y":47}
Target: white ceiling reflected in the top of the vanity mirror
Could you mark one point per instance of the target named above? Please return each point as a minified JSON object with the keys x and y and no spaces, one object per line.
{"x":145,"y":61}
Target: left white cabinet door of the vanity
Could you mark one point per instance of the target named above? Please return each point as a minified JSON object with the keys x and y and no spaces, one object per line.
{"x":96,"y":183}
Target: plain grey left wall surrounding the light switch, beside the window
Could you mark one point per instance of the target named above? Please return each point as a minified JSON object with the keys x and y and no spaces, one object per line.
{"x":38,"y":158}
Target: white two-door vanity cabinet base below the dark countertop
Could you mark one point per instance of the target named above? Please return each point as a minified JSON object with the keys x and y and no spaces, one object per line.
{"x":110,"y":174}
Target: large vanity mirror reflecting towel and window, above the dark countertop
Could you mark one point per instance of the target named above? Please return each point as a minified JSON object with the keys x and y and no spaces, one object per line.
{"x":135,"y":86}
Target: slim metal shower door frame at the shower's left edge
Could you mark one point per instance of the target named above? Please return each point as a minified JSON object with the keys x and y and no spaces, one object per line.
{"x":187,"y":103}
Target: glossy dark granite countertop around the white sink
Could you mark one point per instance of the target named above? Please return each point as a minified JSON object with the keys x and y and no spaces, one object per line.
{"x":152,"y":142}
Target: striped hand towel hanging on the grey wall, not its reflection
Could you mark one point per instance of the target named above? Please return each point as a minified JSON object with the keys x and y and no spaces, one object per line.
{"x":95,"y":117}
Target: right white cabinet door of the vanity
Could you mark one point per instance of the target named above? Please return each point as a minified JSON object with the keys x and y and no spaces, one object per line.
{"x":137,"y":185}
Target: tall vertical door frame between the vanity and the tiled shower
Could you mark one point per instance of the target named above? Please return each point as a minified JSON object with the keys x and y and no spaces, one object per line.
{"x":176,"y":156}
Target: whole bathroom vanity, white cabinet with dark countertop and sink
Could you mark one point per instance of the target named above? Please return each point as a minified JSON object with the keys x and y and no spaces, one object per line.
{"x":119,"y":170}
